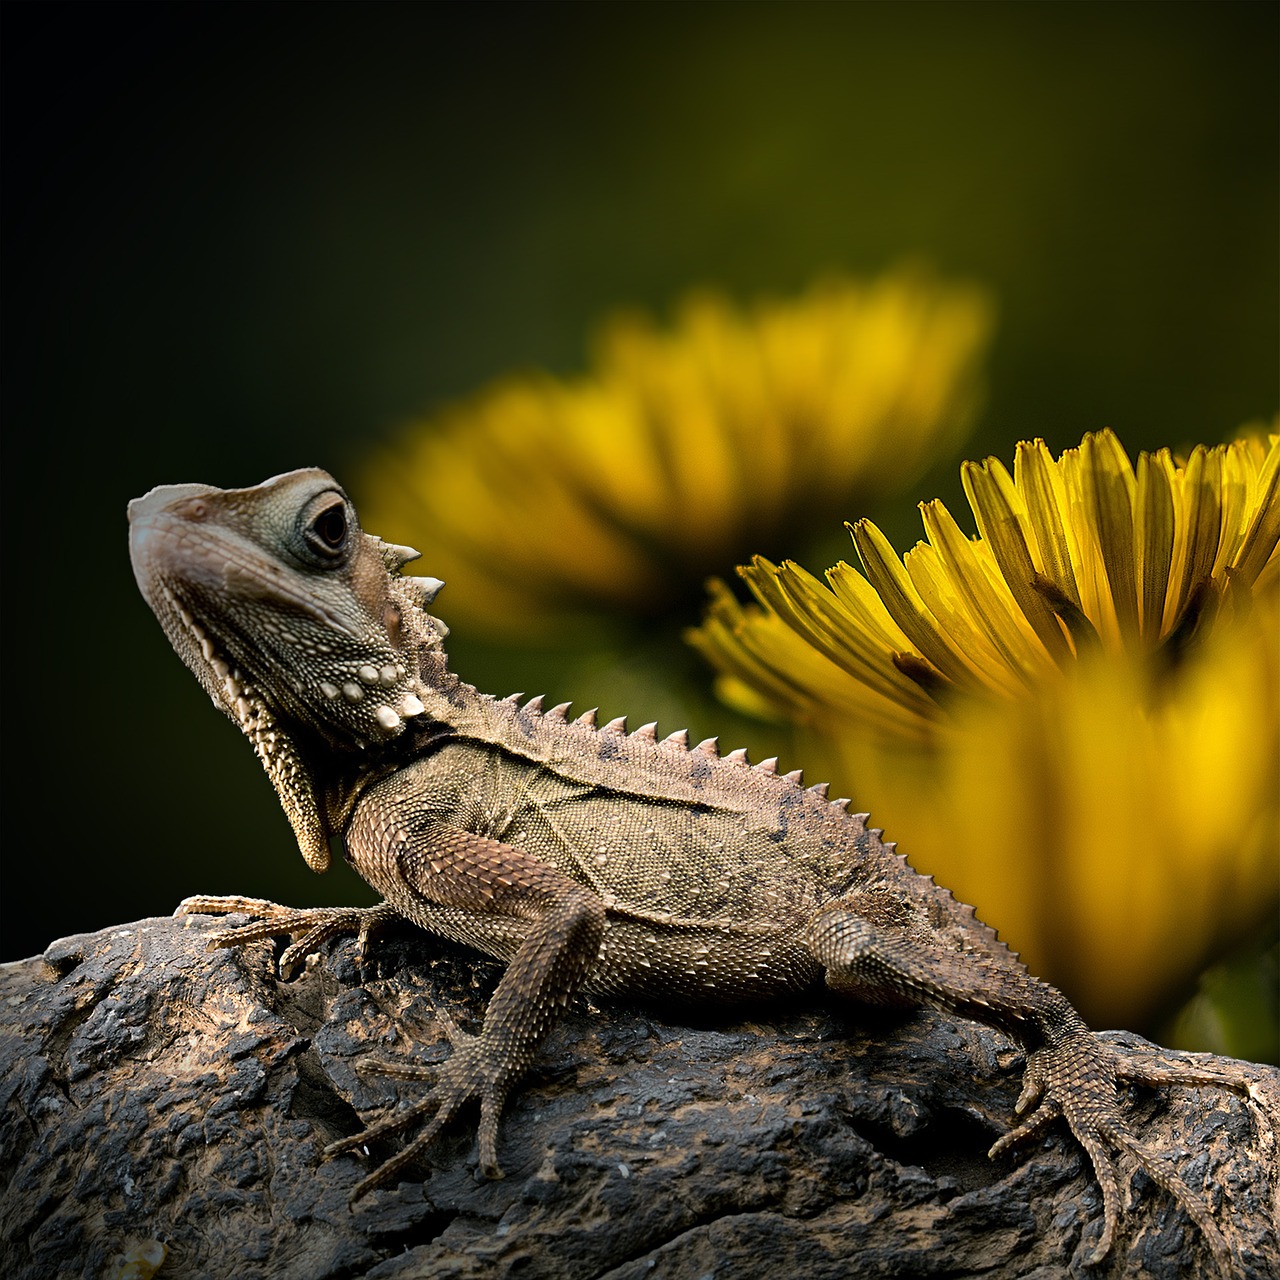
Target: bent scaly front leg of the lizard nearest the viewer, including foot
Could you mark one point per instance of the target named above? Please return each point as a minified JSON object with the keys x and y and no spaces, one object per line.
{"x":476,"y":889}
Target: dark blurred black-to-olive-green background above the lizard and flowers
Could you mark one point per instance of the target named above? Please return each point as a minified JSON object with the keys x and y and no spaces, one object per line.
{"x":248,"y":237}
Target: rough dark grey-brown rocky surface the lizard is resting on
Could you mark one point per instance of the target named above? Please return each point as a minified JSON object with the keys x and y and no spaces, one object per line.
{"x":154,"y":1094}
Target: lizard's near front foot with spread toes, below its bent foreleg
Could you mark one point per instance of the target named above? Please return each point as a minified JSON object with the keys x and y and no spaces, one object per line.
{"x":474,"y":1072}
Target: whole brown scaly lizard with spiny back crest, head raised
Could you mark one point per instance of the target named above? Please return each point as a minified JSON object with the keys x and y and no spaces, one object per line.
{"x":589,"y":860}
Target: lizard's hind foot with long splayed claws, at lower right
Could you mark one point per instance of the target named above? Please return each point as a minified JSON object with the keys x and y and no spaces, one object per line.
{"x":1076,"y":1078}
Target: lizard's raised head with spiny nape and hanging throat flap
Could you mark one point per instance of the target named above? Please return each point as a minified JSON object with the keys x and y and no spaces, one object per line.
{"x":290,"y":616}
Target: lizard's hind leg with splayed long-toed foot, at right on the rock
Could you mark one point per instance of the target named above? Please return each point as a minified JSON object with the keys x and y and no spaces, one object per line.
{"x":1071,"y":1073}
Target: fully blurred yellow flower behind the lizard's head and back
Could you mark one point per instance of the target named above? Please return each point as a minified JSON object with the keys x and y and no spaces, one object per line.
{"x":542,"y":500}
